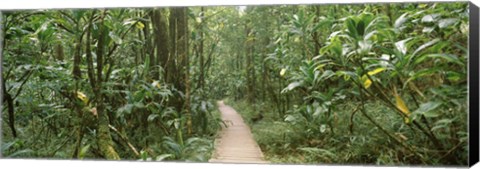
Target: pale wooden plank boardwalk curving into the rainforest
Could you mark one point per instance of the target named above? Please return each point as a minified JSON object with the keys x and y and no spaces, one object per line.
{"x":236,"y":143}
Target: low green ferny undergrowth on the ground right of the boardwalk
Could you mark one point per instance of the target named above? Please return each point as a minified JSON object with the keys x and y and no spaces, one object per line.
{"x":284,"y":143}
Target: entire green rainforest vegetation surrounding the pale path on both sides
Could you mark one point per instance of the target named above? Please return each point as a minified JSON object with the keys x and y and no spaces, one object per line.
{"x":319,"y":84}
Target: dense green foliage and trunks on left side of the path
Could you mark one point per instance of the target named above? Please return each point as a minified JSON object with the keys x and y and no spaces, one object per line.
{"x":90,"y":84}
